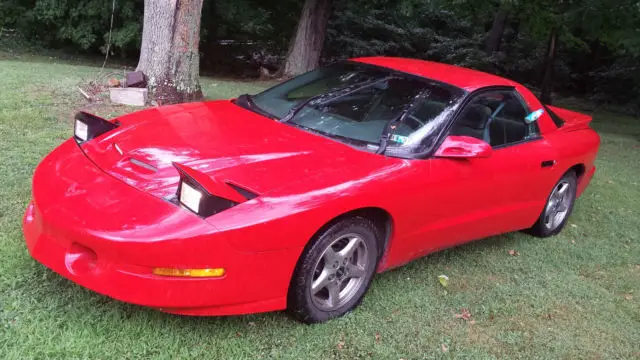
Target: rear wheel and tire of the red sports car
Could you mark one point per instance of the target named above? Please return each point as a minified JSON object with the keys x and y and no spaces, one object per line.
{"x":559,"y":205}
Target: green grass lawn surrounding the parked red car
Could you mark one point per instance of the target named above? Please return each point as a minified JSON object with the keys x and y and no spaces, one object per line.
{"x":573,"y":296}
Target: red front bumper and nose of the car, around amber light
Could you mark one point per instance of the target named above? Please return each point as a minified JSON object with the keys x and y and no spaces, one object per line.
{"x":110,"y":247}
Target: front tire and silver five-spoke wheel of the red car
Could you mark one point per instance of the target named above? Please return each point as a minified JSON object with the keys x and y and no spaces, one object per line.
{"x":305,"y":306}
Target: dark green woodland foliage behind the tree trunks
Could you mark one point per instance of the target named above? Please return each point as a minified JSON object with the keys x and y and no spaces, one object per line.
{"x":598,"y":54}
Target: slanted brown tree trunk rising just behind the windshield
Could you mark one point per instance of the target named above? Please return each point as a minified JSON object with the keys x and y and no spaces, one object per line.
{"x":306,"y":45}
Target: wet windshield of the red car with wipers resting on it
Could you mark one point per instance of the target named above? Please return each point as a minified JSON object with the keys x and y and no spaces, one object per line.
{"x":356,"y":102}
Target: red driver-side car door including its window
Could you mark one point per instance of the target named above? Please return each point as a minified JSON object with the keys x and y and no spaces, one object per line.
{"x":472,"y":198}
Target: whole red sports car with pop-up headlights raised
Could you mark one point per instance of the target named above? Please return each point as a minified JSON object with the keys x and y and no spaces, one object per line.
{"x":294,"y":198}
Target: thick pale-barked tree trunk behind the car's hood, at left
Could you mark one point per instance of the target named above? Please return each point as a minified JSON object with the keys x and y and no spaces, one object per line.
{"x":169,"y":54}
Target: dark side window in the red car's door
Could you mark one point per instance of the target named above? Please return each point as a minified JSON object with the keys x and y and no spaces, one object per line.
{"x":496,"y":117}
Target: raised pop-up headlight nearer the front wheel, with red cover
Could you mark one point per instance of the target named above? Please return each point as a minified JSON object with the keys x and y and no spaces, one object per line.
{"x":206,"y":196}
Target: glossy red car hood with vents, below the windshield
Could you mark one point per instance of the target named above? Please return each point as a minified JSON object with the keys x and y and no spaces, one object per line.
{"x":217,"y":138}
